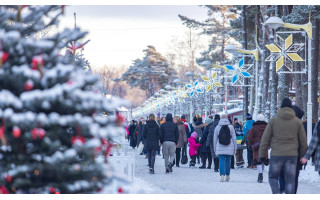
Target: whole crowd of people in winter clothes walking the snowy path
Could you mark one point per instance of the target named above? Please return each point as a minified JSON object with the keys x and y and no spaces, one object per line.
{"x":221,"y":141}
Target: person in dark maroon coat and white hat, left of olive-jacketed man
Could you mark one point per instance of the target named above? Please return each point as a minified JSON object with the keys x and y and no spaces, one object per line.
{"x":254,"y":138}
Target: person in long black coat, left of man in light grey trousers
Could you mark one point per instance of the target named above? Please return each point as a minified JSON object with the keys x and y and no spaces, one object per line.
{"x":151,"y":137}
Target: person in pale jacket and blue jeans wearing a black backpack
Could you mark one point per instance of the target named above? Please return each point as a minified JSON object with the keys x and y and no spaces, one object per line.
{"x":225,"y":145}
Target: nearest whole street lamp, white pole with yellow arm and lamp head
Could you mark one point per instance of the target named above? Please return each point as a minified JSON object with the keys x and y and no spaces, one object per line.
{"x":276,"y":22}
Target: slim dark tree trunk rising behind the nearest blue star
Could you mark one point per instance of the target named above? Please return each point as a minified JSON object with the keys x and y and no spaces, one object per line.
{"x":244,"y":46}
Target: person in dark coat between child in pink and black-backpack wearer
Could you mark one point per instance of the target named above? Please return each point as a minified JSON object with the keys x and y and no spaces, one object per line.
{"x":204,"y":149}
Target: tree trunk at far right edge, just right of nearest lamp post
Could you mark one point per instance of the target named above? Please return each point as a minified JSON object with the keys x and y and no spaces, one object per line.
{"x":314,"y":70}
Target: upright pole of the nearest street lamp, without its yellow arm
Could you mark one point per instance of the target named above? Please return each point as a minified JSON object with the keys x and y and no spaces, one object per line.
{"x":309,"y":104}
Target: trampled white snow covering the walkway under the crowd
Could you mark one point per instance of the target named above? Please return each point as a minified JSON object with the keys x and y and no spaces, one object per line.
{"x":185,"y":180}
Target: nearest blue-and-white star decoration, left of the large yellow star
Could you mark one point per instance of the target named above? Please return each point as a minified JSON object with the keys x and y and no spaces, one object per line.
{"x":238,"y":72}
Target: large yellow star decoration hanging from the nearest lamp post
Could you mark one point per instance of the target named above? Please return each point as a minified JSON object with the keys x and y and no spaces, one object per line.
{"x":284,"y":52}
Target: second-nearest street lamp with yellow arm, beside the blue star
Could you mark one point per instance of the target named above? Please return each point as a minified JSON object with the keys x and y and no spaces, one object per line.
{"x":255,"y":53}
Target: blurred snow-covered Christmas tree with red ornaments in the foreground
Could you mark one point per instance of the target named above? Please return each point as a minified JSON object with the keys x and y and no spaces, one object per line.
{"x":50,"y":130}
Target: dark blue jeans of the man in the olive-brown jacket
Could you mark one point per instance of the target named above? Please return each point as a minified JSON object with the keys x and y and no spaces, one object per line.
{"x":287,"y":164}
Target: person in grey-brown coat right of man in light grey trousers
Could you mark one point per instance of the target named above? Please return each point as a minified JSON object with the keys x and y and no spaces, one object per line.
{"x":182,"y":139}
